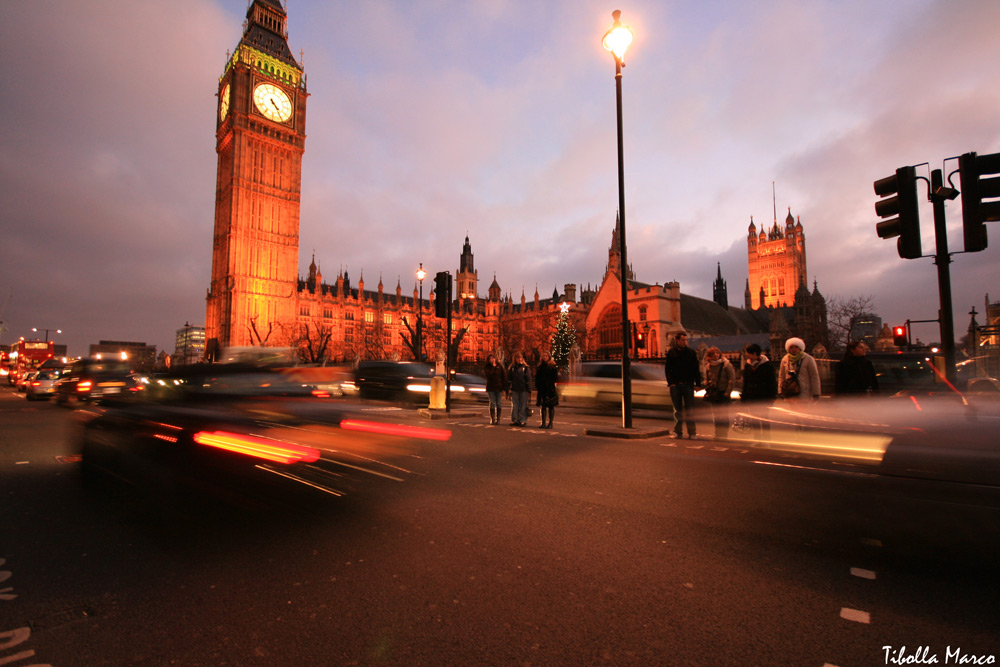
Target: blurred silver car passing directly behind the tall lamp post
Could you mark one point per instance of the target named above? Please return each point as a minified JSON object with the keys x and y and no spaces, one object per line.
{"x":600,"y":383}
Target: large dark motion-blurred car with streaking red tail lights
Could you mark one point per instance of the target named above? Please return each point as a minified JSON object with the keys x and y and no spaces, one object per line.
{"x":248,"y":437}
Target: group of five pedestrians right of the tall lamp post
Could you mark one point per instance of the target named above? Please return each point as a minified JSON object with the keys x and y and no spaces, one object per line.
{"x":796,"y":378}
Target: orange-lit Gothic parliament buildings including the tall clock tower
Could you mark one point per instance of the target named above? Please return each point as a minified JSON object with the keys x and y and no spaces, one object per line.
{"x":257,"y":296}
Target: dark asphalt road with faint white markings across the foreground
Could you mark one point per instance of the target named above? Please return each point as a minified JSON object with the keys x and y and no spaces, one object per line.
{"x":503,"y":546}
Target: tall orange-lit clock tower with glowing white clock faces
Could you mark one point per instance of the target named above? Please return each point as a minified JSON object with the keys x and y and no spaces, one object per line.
{"x":260,"y":139}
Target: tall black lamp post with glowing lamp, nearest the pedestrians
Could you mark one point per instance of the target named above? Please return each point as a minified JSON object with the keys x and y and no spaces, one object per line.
{"x":617,"y":40}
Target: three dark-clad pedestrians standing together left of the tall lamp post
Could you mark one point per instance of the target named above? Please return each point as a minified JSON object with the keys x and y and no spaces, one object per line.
{"x":516,"y":383}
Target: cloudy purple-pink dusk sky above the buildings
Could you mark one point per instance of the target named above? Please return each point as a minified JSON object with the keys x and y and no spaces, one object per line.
{"x":431,"y":120}
